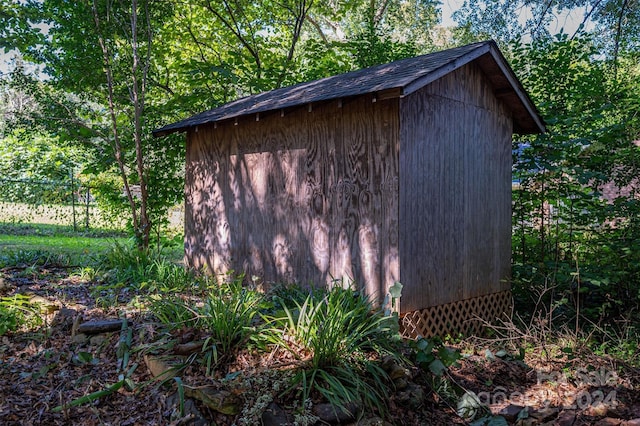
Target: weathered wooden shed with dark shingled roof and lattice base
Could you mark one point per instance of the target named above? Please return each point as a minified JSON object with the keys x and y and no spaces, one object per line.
{"x":398,"y":172}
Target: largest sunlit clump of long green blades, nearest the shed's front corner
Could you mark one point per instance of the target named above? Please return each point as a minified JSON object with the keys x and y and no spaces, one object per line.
{"x":336,"y":334}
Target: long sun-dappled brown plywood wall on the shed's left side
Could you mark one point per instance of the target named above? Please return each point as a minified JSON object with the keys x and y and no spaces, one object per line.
{"x":307,"y":197}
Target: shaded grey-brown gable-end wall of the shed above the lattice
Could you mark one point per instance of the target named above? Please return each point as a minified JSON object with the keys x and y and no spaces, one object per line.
{"x":455,"y":191}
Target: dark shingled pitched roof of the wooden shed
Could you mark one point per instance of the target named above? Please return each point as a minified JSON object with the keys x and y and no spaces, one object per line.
{"x":398,"y":78}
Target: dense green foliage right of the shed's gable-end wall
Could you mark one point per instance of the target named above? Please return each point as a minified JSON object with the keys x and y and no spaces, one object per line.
{"x":573,"y":248}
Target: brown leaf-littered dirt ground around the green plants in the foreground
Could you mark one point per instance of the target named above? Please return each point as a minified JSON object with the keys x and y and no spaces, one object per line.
{"x":55,"y":365}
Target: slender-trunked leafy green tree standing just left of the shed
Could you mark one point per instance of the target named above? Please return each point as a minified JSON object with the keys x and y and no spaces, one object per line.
{"x":99,"y":59}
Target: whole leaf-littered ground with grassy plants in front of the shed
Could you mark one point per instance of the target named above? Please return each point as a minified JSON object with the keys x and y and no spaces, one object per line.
{"x":216,"y":351}
